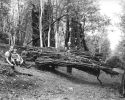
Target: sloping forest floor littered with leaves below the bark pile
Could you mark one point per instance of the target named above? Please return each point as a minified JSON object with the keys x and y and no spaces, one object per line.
{"x":58,"y":85}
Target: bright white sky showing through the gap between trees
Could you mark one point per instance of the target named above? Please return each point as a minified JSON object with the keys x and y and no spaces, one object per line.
{"x":112,"y":9}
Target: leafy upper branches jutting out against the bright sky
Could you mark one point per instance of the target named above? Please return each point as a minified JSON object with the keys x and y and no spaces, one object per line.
{"x":88,"y":11}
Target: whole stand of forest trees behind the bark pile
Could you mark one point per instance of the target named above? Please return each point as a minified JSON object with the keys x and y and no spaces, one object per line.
{"x":77,"y":24}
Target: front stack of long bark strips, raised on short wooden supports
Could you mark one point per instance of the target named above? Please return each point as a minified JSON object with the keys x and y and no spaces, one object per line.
{"x":76,"y":59}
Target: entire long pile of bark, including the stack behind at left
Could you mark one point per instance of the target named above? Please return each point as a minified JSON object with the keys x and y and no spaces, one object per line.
{"x":46,"y":57}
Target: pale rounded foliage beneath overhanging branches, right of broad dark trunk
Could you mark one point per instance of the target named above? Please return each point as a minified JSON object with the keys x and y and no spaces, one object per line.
{"x":99,"y":43}
